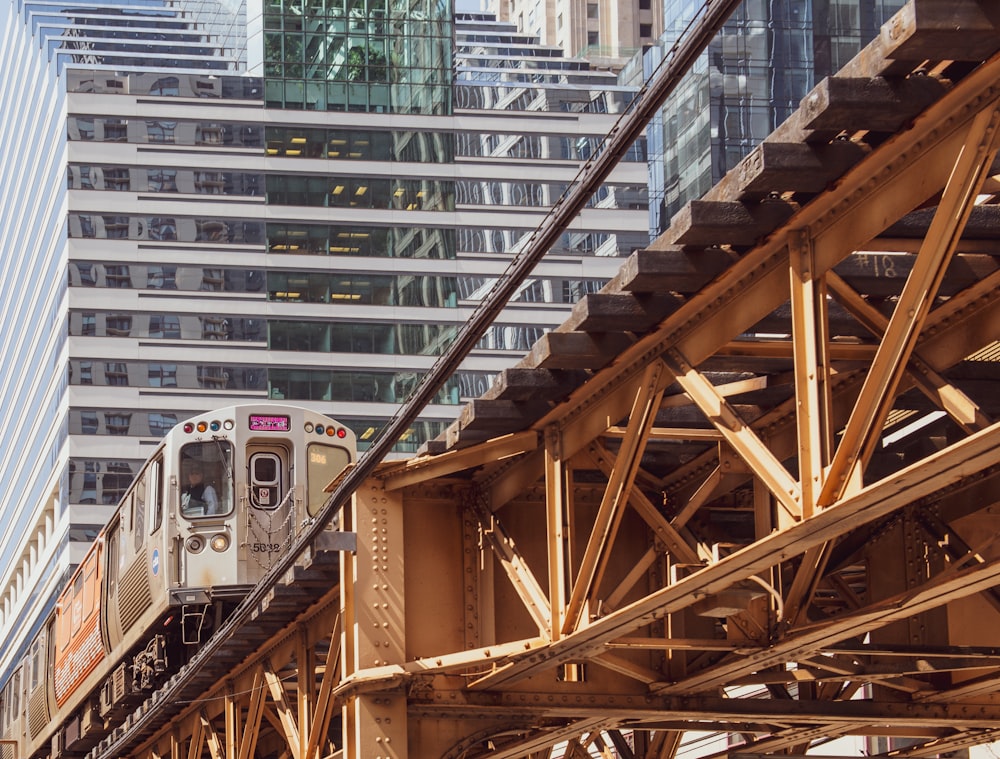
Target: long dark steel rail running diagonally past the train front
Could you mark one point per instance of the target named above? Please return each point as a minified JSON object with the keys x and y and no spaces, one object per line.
{"x":675,"y":64}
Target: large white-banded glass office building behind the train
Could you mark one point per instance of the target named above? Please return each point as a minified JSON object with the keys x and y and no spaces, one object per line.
{"x":296,"y":200}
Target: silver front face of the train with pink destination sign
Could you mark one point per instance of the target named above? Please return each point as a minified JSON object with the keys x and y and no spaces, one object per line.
{"x":244,"y":481}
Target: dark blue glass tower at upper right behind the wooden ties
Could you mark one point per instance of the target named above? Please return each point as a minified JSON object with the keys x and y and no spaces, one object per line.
{"x":752,"y":77}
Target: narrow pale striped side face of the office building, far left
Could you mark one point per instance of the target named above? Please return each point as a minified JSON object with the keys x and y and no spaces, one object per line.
{"x":33,"y":387}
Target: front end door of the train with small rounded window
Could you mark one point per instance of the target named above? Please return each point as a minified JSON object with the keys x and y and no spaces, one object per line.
{"x":271,"y":512}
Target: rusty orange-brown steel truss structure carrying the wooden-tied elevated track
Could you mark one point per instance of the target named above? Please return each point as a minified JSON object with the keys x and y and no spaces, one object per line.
{"x":753,"y":486}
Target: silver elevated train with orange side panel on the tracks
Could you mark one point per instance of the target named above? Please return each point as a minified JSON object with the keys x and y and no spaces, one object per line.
{"x":210,"y":512}
